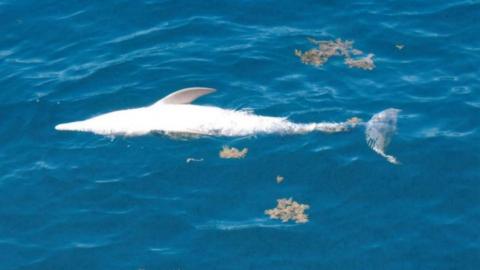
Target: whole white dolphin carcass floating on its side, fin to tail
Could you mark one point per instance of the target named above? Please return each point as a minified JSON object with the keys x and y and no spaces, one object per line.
{"x":174,"y":114}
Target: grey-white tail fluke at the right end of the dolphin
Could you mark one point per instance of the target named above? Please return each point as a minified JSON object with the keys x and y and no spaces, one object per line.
{"x":380,"y":130}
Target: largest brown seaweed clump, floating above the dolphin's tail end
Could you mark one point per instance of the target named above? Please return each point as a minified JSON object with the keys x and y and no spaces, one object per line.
{"x":338,"y":47}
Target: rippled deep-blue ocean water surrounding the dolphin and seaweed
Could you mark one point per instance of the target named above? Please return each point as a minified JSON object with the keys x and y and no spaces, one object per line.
{"x":82,"y":201}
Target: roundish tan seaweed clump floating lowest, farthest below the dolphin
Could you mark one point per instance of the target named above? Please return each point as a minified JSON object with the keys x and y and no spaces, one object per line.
{"x":288,"y":209}
